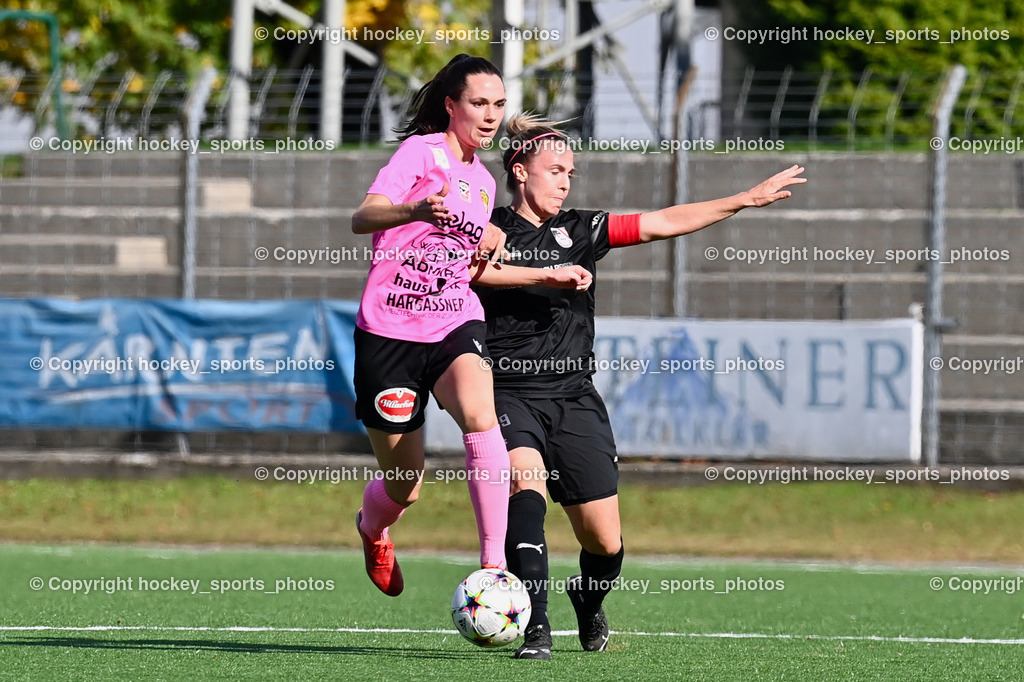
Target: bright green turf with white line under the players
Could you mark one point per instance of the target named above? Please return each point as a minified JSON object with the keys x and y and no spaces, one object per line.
{"x":821,"y":622}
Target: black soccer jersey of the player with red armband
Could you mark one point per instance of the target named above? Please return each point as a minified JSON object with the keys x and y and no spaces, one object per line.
{"x":542,"y":339}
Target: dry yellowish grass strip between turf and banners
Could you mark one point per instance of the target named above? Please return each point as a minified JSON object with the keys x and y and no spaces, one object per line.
{"x":846,"y":522}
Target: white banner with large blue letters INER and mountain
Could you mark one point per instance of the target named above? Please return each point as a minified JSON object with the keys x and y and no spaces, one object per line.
{"x":841,"y":392}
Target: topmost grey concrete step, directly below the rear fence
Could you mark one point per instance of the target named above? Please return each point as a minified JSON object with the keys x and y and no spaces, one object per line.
{"x":607,"y":181}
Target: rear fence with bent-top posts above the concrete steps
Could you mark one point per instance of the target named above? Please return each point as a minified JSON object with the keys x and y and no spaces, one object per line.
{"x":814,"y":111}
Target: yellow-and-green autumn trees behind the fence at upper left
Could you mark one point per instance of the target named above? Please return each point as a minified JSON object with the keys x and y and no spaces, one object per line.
{"x":148,"y":37}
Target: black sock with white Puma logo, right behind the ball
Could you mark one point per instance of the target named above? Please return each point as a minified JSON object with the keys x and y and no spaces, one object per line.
{"x":526,"y":550}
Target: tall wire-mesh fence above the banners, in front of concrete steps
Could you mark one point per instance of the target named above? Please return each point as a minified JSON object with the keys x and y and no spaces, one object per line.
{"x":94,"y":225}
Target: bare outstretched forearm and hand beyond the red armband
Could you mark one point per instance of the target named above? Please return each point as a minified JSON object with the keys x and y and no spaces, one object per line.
{"x":687,"y":219}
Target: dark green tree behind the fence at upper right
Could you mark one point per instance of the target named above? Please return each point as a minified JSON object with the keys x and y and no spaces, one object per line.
{"x":909,"y":36}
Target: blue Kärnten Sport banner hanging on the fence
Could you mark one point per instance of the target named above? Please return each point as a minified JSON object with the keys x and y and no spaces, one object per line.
{"x":178,"y":366}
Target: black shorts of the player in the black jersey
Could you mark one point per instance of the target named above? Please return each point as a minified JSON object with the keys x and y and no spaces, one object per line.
{"x":574,"y":437}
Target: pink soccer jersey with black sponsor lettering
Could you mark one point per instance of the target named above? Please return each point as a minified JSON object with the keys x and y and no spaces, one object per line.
{"x":418,"y":287}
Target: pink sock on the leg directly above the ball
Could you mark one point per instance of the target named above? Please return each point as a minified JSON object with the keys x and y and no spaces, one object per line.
{"x":488,"y":466}
